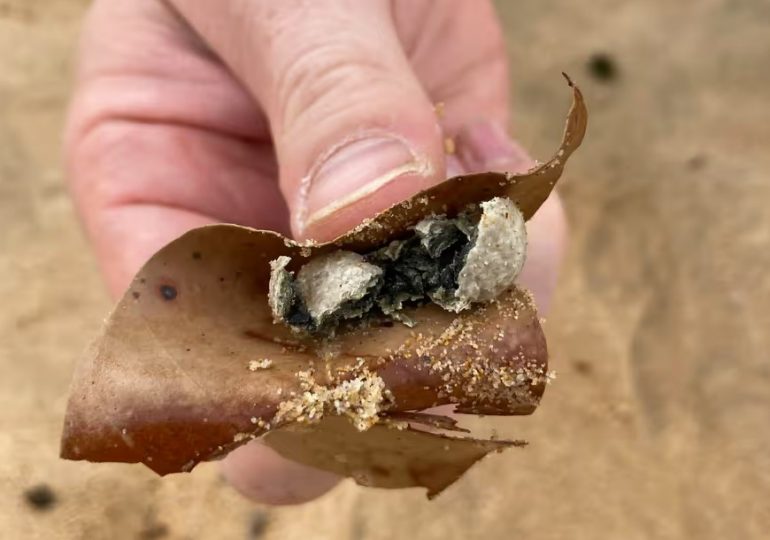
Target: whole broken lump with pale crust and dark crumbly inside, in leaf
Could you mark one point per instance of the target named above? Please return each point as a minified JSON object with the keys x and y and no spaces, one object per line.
{"x":453,"y":262}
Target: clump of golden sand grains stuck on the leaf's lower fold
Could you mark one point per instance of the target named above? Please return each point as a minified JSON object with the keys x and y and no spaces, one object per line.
{"x":360,"y":398}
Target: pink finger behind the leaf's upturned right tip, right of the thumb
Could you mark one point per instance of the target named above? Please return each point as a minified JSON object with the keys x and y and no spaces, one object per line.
{"x":485,"y":146}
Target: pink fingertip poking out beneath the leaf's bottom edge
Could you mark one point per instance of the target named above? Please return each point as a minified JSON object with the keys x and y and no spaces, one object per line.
{"x":262,"y":475}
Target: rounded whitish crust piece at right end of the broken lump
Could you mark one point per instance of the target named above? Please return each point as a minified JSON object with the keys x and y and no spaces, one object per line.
{"x":496,"y":257}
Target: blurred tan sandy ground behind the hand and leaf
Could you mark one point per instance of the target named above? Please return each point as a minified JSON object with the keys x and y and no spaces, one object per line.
{"x":657,"y":424}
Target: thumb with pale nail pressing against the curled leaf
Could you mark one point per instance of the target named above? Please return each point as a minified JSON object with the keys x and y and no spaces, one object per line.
{"x":354,"y":131}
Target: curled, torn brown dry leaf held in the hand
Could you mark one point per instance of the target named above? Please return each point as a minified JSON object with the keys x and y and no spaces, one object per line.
{"x":168,"y":384}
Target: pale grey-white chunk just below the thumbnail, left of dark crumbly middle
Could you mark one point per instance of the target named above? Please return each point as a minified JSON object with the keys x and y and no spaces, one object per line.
{"x":328,"y":281}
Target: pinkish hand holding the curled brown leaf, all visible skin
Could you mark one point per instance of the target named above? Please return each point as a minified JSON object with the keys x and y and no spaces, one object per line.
{"x":190,"y":112}
